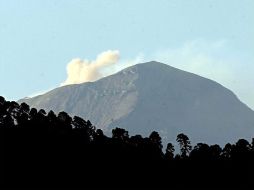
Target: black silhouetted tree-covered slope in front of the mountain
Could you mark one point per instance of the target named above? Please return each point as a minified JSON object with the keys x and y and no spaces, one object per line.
{"x":40,"y":149}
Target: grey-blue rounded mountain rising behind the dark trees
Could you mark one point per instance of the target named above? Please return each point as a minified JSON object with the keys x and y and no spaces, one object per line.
{"x":154,"y":96}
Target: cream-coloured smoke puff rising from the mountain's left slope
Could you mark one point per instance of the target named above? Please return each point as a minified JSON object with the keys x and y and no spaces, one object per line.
{"x":80,"y":71}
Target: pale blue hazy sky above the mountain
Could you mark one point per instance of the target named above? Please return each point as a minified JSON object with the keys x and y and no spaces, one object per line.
{"x":38,"y":38}
